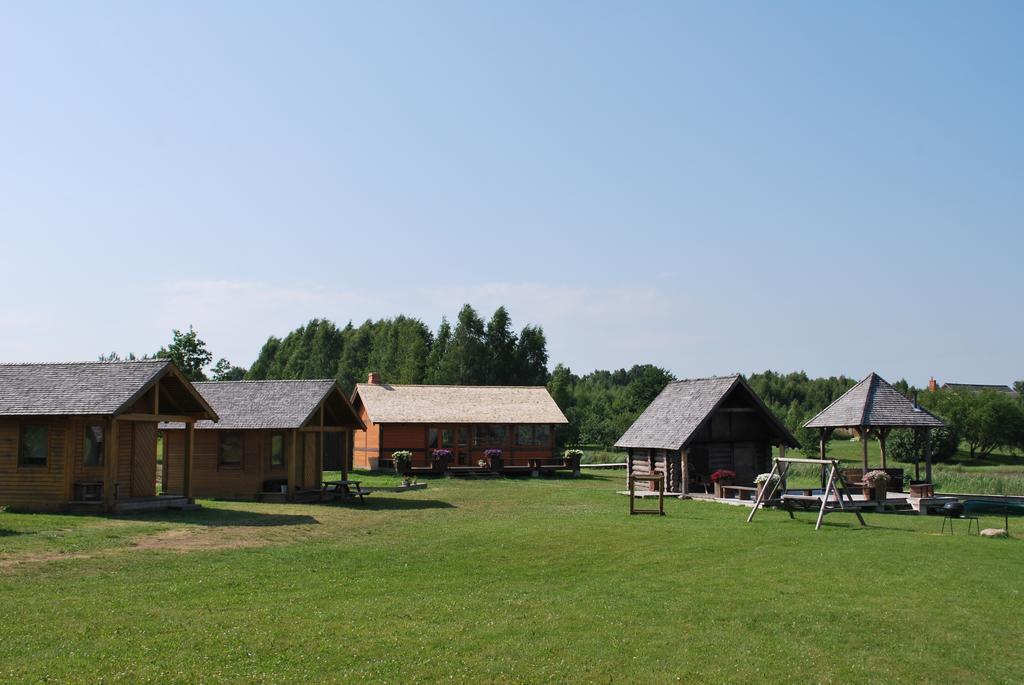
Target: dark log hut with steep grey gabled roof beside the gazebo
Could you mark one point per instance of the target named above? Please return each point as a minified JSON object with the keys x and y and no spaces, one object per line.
{"x":696,"y":427}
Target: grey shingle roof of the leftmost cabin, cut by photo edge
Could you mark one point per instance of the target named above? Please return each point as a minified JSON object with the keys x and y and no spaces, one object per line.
{"x":74,"y":389}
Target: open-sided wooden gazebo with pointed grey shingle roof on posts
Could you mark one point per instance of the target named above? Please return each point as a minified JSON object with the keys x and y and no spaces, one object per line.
{"x":875,"y":408}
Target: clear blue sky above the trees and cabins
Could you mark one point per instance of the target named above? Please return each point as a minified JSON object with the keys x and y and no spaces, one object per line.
{"x":708,"y":187}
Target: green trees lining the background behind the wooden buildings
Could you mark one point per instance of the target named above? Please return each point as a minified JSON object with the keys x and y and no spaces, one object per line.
{"x":600,"y":406}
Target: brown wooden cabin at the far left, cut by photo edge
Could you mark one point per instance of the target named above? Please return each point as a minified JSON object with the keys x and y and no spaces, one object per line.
{"x":84,"y":436}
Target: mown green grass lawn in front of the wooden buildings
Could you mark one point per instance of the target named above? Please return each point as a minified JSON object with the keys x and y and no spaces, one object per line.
{"x":504,"y":581}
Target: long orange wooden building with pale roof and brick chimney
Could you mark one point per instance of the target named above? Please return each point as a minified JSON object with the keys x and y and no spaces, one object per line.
{"x":467,"y":420}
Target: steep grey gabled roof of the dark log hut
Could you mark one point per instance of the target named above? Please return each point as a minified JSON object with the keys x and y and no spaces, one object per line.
{"x":684,"y":407}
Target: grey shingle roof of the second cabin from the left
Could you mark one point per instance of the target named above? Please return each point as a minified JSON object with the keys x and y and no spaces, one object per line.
{"x":262,"y":405}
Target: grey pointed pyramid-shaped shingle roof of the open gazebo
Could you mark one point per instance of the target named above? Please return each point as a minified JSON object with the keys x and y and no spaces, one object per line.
{"x":874,"y":403}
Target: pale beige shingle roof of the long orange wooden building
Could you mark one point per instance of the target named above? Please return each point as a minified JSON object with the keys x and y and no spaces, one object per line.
{"x":458,"y":404}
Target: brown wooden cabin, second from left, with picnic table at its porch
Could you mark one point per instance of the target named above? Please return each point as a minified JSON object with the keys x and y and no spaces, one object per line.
{"x":274,"y":441}
